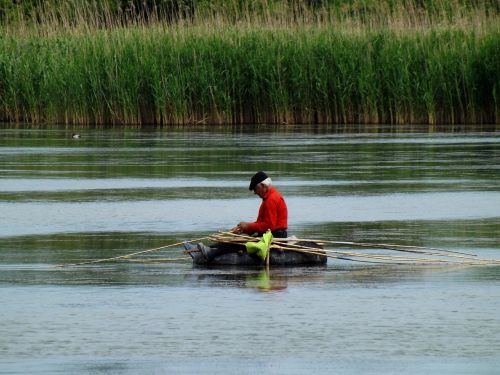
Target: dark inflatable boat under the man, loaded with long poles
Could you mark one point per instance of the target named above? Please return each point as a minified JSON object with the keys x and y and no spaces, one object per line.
{"x":236,"y":255}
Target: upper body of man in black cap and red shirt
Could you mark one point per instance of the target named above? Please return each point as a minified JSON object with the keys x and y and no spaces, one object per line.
{"x":273,"y":213}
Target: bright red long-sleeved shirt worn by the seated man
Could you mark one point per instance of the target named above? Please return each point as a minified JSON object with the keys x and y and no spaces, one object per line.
{"x":273,"y":213}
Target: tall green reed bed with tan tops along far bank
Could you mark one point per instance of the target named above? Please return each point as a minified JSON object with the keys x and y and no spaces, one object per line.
{"x":281,"y":65}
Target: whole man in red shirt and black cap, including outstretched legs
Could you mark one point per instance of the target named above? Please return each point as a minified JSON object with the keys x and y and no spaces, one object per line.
{"x":273,"y":215}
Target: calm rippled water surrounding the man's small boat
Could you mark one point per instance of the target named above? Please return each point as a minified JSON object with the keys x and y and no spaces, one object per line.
{"x":114,"y":192}
